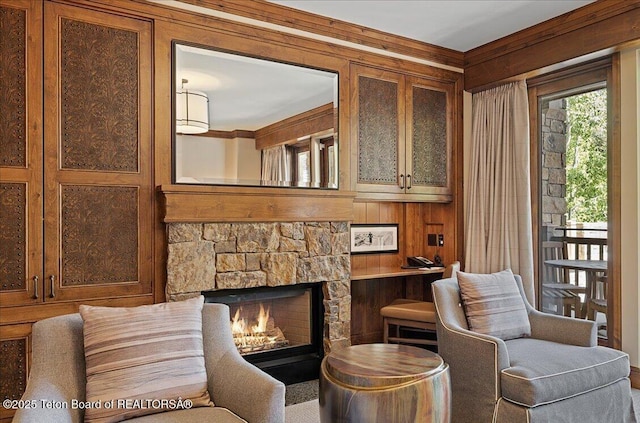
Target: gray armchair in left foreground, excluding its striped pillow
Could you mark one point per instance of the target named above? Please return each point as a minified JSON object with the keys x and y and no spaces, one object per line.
{"x":238,"y":389}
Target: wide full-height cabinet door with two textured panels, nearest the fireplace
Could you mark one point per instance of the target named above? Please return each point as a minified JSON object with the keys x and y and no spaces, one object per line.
{"x":97,"y":149}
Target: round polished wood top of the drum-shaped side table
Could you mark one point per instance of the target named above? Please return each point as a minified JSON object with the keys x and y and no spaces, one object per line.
{"x":379,"y":365}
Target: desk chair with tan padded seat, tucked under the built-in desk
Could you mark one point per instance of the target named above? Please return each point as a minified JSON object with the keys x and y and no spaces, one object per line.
{"x":403,"y":313}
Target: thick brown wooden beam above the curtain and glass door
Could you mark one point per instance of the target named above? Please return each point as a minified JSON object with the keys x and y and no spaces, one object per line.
{"x":598,"y":27}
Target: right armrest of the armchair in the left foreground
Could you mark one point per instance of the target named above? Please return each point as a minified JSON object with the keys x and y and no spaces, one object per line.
{"x":246,"y":390}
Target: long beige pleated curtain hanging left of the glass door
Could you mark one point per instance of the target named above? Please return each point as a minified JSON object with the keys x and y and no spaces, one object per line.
{"x":498,"y":219}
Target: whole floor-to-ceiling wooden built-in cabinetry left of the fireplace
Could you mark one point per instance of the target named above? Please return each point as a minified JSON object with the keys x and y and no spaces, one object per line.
{"x":76,"y":197}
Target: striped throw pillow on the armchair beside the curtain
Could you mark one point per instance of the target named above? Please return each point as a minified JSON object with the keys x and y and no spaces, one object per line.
{"x":493,"y":304}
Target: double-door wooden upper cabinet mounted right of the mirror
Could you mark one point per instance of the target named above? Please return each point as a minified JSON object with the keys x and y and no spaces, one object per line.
{"x":403,"y":133}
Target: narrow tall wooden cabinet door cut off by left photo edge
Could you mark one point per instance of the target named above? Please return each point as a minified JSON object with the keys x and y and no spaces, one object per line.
{"x":20,"y":152}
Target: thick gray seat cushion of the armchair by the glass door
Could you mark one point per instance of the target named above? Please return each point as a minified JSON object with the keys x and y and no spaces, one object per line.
{"x":543,"y":372}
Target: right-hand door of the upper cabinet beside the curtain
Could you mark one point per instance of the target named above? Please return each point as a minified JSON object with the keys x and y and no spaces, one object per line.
{"x":429,"y":129}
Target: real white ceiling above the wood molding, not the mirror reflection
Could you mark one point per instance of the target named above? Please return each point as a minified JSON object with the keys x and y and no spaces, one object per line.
{"x":456,"y":24}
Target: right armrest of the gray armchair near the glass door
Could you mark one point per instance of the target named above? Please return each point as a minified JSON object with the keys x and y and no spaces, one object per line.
{"x":561,"y":329}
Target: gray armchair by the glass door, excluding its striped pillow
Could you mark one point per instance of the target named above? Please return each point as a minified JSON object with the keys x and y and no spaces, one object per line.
{"x":557,"y":374}
